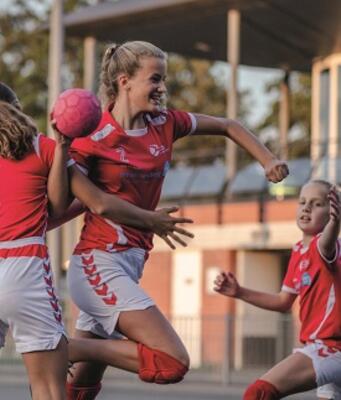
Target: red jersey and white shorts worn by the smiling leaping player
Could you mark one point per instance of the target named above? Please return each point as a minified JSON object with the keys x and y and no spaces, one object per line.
{"x":109,"y":259}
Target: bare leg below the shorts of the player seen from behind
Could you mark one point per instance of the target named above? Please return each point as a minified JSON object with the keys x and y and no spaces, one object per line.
{"x":47,"y":372}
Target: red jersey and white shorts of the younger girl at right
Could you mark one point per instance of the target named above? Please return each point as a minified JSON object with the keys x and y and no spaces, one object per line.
{"x":317,"y":281}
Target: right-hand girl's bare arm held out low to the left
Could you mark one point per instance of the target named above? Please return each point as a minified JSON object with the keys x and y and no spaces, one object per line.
{"x":227,"y":285}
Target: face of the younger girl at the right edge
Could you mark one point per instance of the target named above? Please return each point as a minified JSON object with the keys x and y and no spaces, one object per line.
{"x":313,"y":208}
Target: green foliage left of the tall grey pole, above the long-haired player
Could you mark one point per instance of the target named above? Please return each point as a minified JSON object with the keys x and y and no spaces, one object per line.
{"x":23,"y":61}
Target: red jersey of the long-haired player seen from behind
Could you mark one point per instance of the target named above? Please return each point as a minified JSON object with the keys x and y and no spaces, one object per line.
{"x":23,"y":192}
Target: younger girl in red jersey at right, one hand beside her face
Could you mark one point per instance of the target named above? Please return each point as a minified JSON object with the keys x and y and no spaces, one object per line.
{"x":314,"y":274}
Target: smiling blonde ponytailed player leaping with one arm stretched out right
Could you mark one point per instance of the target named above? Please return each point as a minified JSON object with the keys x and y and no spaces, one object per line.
{"x":129,"y":155}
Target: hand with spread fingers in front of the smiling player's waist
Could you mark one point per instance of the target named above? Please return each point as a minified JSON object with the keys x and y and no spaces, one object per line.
{"x":166,"y":226}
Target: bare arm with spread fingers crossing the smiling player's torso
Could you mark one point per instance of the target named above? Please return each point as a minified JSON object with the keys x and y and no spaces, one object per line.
{"x":121,"y":211}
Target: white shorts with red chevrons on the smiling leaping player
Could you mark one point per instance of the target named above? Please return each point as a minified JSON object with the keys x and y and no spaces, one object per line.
{"x":103,"y":284}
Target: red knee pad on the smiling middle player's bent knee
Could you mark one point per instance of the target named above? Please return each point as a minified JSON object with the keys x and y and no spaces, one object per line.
{"x":159,"y":367}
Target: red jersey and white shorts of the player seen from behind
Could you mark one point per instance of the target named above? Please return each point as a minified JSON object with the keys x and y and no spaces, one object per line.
{"x":28,"y":303}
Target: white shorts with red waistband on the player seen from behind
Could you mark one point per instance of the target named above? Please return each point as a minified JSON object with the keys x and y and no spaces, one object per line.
{"x":29,"y":306}
